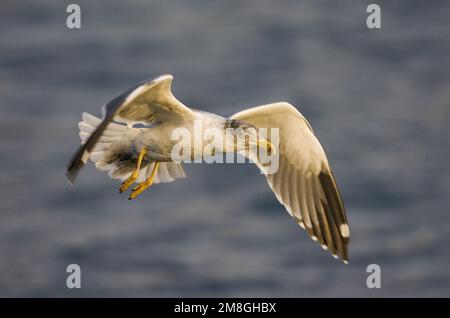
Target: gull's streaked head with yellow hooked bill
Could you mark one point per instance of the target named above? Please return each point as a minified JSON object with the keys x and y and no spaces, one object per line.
{"x":241,"y":136}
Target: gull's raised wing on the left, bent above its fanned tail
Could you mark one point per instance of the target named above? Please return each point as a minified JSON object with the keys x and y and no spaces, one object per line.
{"x":149,"y":102}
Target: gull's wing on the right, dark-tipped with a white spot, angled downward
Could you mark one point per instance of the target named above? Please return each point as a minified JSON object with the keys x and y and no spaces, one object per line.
{"x":304,"y":182}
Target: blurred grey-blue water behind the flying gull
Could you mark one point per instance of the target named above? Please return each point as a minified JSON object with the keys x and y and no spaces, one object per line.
{"x":377,"y":99}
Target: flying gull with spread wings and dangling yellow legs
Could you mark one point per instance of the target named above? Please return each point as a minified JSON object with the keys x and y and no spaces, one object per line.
{"x":133,"y":142}
